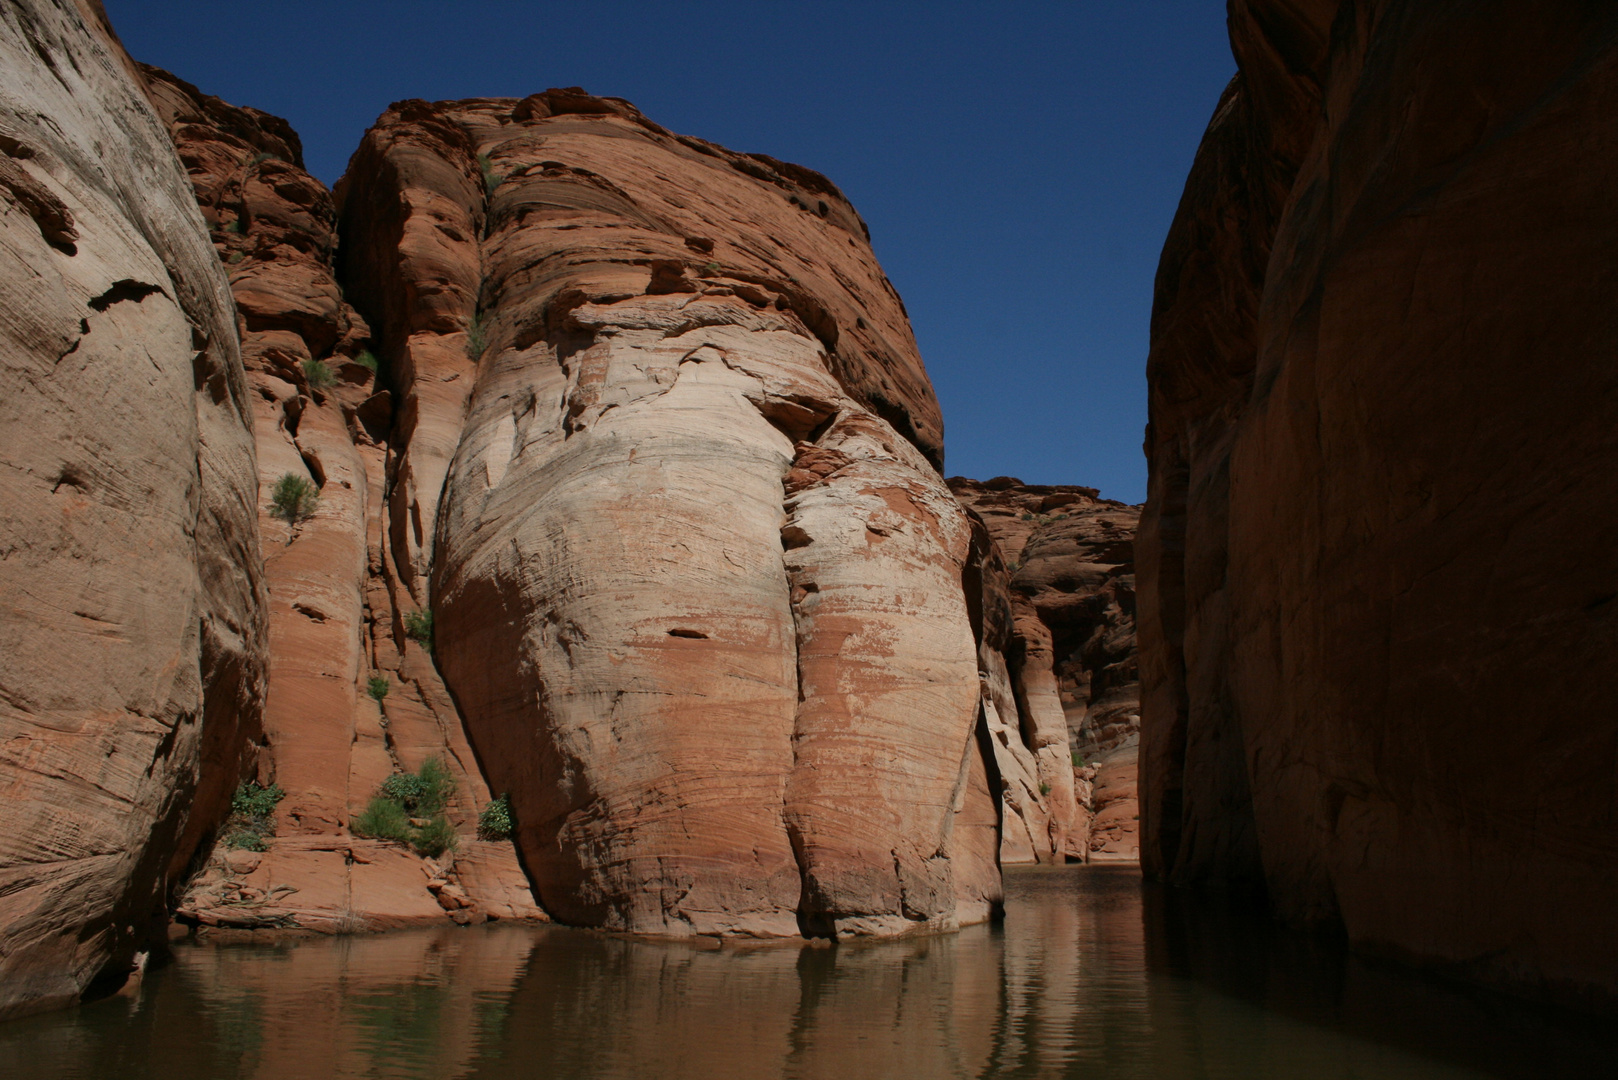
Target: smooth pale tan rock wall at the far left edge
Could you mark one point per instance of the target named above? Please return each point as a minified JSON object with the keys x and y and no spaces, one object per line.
{"x":132,"y":632}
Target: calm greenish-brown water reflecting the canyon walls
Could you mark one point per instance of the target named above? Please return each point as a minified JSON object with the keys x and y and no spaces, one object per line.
{"x":1088,"y":977}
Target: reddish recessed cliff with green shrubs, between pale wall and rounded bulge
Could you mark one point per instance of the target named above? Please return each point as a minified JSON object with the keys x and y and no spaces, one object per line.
{"x":336,"y":603}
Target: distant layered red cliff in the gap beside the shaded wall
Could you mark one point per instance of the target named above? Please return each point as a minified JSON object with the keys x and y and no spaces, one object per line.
{"x":1072,"y":692}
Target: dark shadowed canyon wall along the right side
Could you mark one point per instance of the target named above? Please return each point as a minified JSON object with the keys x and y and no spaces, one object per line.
{"x":1379,"y":550}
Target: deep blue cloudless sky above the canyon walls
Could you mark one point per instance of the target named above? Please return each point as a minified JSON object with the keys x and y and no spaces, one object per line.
{"x":1019,"y":164}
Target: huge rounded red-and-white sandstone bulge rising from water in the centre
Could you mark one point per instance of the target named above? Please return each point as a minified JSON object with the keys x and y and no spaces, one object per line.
{"x":667,"y":457}
